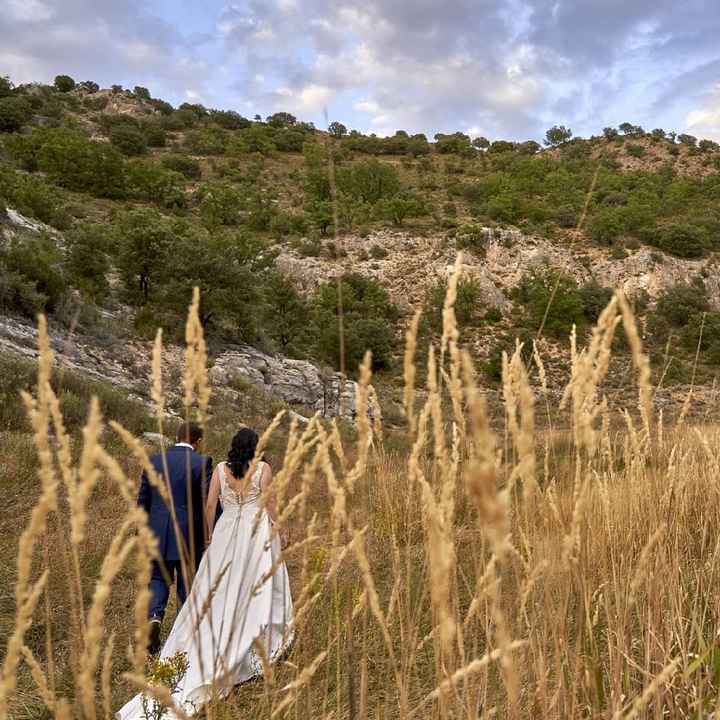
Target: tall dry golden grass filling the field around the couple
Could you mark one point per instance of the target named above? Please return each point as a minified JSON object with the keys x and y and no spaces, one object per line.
{"x":481,"y":573}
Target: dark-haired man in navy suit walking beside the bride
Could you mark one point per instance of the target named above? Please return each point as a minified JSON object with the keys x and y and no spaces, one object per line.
{"x":181,"y":534}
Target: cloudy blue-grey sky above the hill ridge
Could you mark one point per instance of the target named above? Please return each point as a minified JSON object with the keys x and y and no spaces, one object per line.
{"x":498,"y":68}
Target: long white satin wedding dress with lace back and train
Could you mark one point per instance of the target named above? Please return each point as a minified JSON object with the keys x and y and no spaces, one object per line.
{"x":233,"y":602}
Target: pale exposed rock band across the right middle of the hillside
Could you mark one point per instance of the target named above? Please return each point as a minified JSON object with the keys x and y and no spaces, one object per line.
{"x":414,"y":263}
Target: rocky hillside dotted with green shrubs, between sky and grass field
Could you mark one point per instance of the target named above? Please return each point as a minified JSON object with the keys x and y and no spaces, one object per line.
{"x":117,"y":205}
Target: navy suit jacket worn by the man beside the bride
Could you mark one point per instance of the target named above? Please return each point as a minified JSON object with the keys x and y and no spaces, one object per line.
{"x":188,"y":476}
